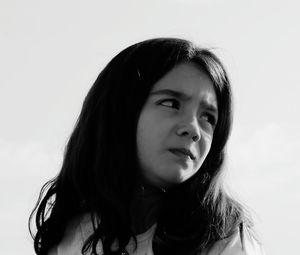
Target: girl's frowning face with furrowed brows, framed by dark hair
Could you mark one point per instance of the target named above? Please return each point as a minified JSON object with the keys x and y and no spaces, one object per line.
{"x":176,"y":126}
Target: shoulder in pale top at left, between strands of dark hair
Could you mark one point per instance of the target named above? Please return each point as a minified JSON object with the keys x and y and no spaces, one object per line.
{"x":77,"y":232}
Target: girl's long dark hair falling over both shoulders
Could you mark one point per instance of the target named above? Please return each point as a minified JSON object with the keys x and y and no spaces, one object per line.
{"x":100,"y":169}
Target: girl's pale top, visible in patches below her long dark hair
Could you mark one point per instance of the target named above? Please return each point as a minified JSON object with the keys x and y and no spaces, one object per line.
{"x":240,"y":243}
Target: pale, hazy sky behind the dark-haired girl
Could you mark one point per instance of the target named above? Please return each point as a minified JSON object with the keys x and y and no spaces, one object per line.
{"x":52,"y":51}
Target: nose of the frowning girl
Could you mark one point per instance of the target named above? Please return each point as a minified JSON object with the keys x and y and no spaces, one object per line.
{"x":189,"y":129}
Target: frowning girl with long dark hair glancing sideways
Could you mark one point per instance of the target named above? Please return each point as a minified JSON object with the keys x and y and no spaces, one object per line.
{"x":142,"y":169}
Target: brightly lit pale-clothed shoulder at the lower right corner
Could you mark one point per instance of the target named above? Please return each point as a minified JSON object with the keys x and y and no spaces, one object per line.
{"x":241,"y":242}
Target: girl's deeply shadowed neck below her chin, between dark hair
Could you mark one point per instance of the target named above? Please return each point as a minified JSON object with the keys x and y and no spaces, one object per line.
{"x":145,"y":206}
